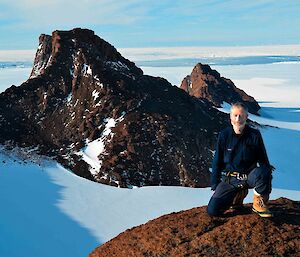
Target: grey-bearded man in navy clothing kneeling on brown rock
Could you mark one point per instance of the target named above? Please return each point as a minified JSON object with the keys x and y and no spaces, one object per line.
{"x":240,"y":162}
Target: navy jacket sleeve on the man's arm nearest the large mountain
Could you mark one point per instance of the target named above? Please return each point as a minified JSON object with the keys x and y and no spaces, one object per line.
{"x":218,"y":163}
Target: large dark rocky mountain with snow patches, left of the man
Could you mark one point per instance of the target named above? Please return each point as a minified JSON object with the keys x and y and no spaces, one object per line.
{"x":95,"y":112}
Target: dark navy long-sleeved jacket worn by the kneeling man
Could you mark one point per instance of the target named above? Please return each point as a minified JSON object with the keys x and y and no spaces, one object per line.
{"x":239,"y":153}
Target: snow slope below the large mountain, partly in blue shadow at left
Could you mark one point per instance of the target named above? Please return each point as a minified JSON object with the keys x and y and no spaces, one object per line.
{"x":48,"y":211}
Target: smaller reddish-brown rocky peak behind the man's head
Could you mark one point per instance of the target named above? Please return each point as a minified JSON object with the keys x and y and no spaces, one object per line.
{"x":207,"y":83}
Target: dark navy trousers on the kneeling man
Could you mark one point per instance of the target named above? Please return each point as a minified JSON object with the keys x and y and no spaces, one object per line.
{"x":259,"y":179}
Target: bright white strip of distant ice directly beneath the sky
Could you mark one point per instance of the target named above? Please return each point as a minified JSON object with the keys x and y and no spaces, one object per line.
{"x":160,"y":53}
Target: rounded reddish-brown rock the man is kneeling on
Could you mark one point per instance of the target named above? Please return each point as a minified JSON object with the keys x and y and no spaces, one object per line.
{"x":194,"y":233}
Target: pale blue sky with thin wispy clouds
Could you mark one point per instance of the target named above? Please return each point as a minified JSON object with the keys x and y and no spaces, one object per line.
{"x":138,"y":23}
